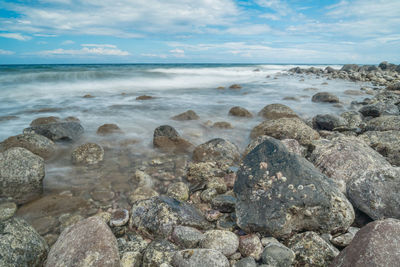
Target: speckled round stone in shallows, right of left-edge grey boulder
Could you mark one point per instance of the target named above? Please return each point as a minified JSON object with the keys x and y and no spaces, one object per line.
{"x":88,"y":154}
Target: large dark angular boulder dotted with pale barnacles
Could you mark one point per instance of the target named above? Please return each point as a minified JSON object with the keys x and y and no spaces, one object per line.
{"x":280,"y":193}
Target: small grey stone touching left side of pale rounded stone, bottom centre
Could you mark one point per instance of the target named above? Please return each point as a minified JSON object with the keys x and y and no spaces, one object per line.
{"x":187,"y":237}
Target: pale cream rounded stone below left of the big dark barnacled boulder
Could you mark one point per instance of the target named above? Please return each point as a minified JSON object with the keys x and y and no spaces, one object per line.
{"x":224,"y":241}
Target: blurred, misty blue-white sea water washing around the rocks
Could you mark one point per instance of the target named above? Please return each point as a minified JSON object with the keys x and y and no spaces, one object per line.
{"x":31,"y":91}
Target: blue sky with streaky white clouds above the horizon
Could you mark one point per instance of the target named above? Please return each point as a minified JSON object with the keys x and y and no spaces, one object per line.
{"x":188,"y":31}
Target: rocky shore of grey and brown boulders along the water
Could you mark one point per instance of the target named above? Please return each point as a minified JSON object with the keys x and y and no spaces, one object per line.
{"x":318,"y":192}
